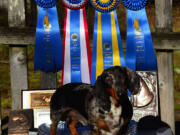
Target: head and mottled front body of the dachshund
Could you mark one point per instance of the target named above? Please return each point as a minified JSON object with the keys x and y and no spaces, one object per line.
{"x":109,"y":108}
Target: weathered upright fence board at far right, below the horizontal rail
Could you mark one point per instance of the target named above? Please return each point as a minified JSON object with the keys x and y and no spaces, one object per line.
{"x":166,"y":87}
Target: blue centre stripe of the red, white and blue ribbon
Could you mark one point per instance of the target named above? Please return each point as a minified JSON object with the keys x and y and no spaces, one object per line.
{"x":75,"y":45}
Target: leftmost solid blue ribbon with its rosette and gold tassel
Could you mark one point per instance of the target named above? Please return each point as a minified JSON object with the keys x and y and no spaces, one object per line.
{"x":48,"y":45}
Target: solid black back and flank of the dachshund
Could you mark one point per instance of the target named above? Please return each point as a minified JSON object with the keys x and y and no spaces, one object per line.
{"x":72,"y":96}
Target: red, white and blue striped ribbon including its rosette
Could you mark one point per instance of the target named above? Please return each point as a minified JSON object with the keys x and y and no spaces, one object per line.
{"x":76,"y":45}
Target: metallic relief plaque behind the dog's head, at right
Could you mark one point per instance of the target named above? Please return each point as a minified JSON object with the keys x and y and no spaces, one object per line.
{"x":146,"y":101}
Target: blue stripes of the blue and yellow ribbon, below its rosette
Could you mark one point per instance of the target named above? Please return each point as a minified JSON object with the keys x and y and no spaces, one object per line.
{"x":106,"y":30}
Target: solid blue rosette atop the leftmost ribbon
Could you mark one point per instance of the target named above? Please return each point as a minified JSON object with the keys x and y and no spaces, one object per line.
{"x":46,"y":3}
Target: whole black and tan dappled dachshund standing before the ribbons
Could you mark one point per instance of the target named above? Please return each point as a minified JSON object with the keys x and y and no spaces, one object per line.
{"x":104,"y":106}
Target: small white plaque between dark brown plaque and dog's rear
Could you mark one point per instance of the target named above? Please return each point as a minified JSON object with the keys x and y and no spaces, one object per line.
{"x":41,"y":116}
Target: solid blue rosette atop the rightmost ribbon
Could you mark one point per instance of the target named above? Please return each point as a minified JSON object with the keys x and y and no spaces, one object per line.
{"x":134,"y":4}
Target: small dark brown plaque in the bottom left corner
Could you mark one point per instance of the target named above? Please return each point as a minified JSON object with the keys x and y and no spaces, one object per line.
{"x":20,"y":122}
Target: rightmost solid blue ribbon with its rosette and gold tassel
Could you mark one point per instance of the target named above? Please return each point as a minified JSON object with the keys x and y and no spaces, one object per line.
{"x":140,"y":54}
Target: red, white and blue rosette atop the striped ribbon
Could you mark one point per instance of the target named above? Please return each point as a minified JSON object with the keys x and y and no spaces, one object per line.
{"x":74,"y":4}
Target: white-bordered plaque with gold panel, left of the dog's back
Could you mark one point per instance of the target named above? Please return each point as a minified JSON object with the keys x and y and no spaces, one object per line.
{"x":36,"y":99}
